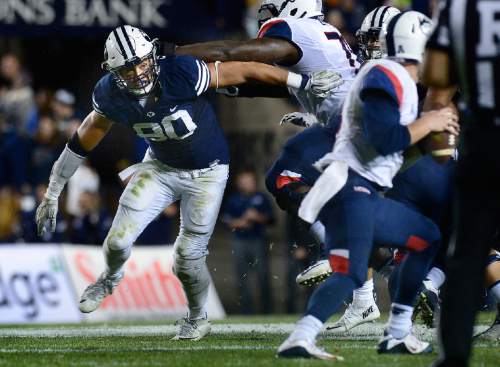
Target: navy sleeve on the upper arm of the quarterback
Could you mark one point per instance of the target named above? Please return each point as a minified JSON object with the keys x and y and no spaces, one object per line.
{"x":381,"y":123}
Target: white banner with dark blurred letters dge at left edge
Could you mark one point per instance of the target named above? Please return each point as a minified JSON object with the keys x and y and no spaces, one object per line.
{"x":34,"y":286}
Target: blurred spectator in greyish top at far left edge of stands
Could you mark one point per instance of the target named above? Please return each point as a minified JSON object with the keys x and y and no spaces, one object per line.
{"x":17,"y":101}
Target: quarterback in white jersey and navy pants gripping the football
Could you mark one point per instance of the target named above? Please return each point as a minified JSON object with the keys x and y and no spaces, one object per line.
{"x":379,"y":122}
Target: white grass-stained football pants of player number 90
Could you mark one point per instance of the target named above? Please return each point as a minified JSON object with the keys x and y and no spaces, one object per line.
{"x":153,"y":187}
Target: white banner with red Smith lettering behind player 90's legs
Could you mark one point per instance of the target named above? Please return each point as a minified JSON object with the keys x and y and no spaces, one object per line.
{"x":149,"y":290}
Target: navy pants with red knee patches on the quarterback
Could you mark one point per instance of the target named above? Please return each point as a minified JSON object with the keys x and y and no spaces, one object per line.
{"x":359,"y":217}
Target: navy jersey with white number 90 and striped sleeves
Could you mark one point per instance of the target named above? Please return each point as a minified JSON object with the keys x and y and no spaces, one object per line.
{"x":178,"y":123}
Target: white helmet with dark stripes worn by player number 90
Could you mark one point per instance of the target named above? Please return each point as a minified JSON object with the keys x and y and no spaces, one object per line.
{"x":127,"y":47}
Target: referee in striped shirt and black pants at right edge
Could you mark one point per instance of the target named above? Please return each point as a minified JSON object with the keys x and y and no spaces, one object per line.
{"x":463,"y":50}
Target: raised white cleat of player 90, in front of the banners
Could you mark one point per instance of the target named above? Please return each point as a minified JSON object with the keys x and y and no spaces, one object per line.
{"x":95,"y":293}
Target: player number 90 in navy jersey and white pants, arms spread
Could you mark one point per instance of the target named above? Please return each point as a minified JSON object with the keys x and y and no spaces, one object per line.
{"x":187,"y":160}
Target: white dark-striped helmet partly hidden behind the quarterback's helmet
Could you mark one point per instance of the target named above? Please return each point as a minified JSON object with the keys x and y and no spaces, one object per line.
{"x":368,"y":33}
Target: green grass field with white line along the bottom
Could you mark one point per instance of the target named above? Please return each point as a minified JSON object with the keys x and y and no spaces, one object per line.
{"x":236,"y":341}
